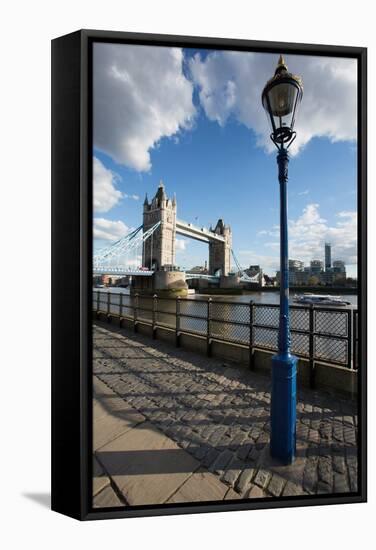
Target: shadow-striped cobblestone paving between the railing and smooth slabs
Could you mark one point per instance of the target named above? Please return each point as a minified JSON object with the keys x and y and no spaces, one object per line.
{"x":219,"y":413}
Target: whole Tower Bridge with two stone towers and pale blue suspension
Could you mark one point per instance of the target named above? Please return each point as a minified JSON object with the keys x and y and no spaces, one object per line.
{"x":156,"y":260}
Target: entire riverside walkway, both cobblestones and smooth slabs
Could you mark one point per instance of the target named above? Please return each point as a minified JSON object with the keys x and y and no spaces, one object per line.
{"x":172,"y":426}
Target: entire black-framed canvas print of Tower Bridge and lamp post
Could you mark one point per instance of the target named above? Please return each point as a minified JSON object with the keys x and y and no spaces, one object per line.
{"x":209,"y":274}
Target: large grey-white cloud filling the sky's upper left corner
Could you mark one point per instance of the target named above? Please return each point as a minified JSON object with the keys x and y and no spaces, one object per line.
{"x":140,"y":96}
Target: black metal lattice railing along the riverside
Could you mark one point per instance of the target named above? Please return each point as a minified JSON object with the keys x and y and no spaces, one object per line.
{"x":319,"y":334}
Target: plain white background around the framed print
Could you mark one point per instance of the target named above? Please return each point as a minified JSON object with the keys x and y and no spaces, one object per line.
{"x":26,"y":30}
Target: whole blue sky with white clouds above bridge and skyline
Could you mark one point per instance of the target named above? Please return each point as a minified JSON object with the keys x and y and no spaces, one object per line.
{"x":208,"y":142}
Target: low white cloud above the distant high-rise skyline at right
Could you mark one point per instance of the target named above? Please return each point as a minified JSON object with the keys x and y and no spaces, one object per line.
{"x":309,"y":232}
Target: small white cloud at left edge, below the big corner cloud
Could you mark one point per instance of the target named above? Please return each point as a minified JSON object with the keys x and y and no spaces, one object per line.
{"x":105,"y":193}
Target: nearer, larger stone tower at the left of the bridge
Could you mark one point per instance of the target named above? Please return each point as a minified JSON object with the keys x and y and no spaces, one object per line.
{"x":159,"y":249}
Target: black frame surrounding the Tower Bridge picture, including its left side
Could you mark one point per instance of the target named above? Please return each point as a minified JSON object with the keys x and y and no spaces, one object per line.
{"x":72,"y":265}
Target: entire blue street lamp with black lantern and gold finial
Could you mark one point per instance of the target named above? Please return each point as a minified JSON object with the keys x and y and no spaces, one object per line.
{"x":280,"y":99}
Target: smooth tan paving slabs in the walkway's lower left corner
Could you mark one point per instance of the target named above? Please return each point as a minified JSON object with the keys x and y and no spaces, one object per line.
{"x":139,"y":464}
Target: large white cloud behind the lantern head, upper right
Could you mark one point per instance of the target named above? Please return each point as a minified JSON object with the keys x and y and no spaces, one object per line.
{"x":230,"y":86}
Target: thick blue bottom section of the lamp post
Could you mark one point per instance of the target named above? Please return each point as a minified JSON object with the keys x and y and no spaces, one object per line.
{"x":283,"y":408}
